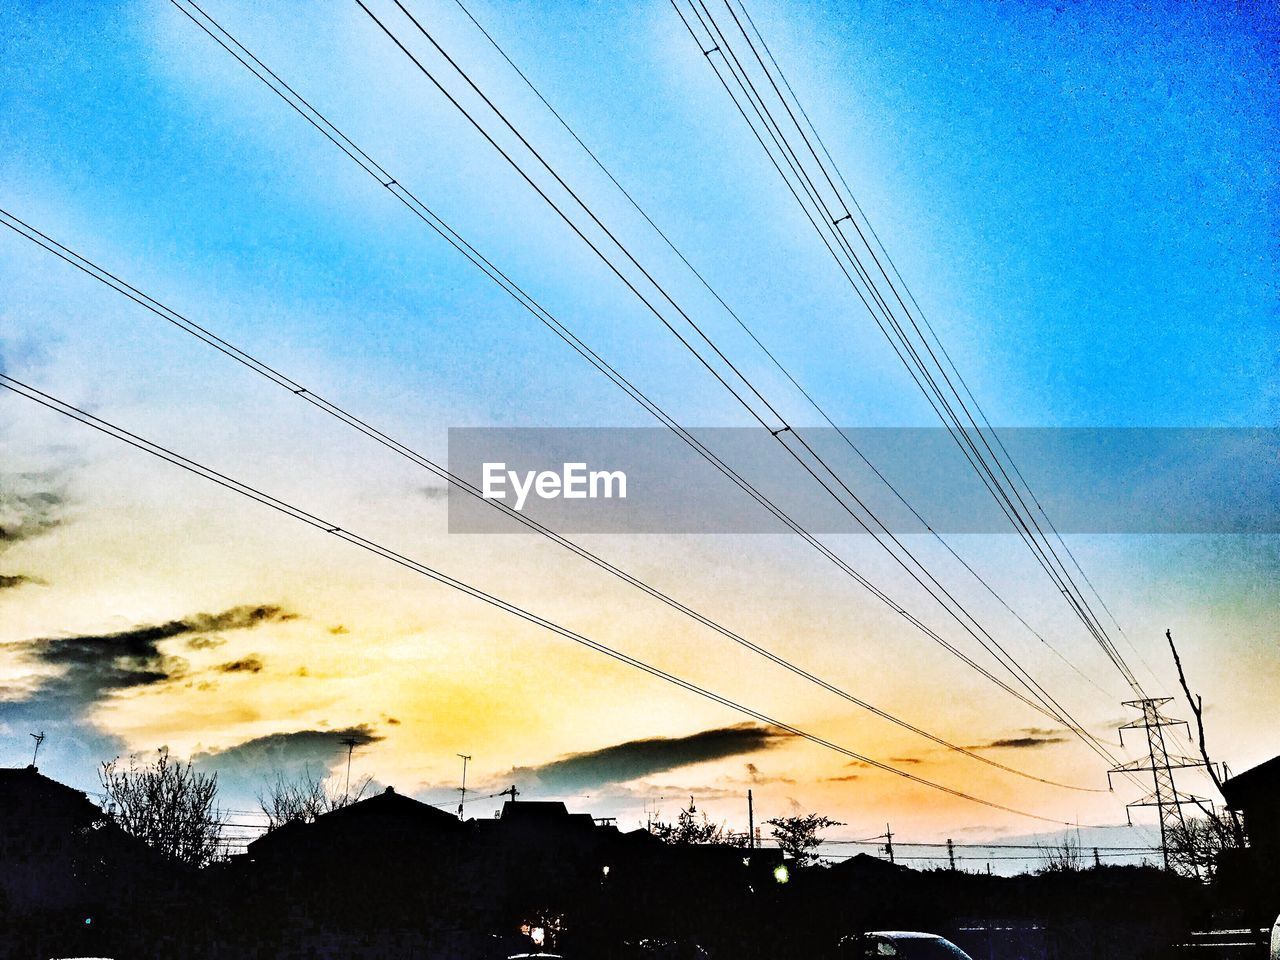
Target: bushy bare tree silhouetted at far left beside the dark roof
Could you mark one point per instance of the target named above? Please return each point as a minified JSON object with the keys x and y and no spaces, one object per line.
{"x":166,"y":804}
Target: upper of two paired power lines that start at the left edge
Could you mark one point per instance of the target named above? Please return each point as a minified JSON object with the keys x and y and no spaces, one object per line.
{"x":345,"y":417}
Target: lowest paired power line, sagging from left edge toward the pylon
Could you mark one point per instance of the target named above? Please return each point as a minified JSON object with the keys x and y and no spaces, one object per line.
{"x":441,"y":578}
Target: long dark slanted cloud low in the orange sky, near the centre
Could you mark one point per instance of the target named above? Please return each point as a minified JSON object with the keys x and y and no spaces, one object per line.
{"x":643,"y":758}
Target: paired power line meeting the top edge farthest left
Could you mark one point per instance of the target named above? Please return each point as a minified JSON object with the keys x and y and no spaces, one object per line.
{"x":428,"y":217}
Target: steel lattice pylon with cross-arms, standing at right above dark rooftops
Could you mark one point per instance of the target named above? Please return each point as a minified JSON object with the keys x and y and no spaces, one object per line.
{"x":1162,"y":765}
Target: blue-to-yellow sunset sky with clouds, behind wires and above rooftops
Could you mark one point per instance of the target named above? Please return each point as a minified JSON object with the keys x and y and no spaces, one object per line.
{"x":1082,"y":198}
